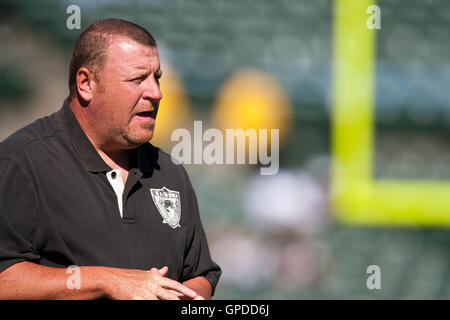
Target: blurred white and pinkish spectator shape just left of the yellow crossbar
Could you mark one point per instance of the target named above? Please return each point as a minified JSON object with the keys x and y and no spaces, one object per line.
{"x":289,"y":207}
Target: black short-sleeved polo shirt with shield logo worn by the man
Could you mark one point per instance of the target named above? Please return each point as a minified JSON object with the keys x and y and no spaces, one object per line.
{"x":57,"y":207}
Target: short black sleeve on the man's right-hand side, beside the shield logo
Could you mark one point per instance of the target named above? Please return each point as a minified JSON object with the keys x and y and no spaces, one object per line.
{"x":198,"y":260}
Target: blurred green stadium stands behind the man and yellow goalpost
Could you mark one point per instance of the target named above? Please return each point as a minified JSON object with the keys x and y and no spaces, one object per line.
{"x":276,"y":237}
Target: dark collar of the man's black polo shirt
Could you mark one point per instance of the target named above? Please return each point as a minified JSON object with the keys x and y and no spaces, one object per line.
{"x":143,"y":158}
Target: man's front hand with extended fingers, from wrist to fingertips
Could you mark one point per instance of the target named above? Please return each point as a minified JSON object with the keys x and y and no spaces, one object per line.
{"x":146,"y":285}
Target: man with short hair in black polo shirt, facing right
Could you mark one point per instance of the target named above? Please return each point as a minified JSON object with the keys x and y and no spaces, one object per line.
{"x":84,"y":187}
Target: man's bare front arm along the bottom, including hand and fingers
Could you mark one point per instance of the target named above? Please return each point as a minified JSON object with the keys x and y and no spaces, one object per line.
{"x":26,"y":280}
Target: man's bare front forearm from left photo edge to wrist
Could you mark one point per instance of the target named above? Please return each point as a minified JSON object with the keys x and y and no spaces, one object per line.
{"x":26,"y":280}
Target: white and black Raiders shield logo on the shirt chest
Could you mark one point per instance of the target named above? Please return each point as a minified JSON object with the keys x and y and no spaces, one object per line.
{"x":168,"y":203}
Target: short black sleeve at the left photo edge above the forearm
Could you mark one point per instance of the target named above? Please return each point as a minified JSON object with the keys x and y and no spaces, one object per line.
{"x":18,"y":215}
